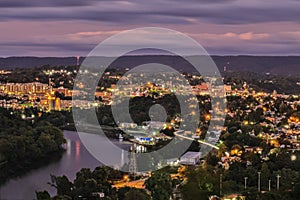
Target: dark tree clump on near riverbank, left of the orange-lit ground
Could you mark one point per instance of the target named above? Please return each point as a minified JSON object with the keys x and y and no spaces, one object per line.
{"x":87,"y":185}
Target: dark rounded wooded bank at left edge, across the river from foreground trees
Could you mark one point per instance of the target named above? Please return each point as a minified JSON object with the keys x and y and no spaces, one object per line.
{"x":26,"y":144}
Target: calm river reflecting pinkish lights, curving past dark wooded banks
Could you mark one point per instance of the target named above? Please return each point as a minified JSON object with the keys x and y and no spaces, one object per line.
{"x":75,"y":158}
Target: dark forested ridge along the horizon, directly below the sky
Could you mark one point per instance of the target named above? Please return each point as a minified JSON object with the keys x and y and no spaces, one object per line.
{"x":276,"y":65}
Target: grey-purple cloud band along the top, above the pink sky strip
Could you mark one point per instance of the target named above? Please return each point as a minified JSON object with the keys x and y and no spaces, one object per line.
{"x":168,"y":11}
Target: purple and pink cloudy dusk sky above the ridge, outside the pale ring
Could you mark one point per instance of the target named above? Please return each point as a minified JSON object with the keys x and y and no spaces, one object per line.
{"x":222,"y":27}
